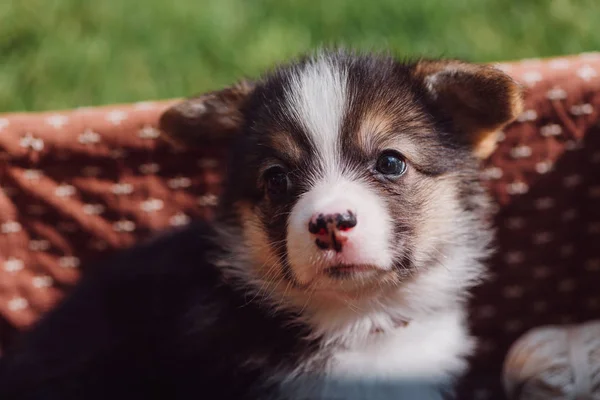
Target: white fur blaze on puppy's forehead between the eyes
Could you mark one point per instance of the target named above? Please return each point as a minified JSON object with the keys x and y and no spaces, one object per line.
{"x":317,"y":98}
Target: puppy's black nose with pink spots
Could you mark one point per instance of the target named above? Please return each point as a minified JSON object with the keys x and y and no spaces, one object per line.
{"x":330,"y":229}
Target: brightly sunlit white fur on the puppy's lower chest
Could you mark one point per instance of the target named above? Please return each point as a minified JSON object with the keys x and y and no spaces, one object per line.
{"x":432,"y":349}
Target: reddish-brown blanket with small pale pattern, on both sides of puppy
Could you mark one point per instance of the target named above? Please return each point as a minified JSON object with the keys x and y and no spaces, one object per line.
{"x":78,"y":184}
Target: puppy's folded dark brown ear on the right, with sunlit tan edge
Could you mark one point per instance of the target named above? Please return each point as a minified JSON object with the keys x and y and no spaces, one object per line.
{"x":478,"y":100}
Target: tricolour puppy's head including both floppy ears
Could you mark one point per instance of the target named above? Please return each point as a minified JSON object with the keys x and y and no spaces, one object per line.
{"x":351,"y":174}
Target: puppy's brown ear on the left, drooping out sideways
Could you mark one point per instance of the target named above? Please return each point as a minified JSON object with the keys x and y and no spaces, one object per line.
{"x":212,"y":118}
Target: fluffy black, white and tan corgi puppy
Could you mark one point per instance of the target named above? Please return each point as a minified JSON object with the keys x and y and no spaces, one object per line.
{"x":351,"y":228}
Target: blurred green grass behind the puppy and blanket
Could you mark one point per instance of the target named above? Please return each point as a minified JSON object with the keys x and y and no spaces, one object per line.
{"x":64,"y":53}
